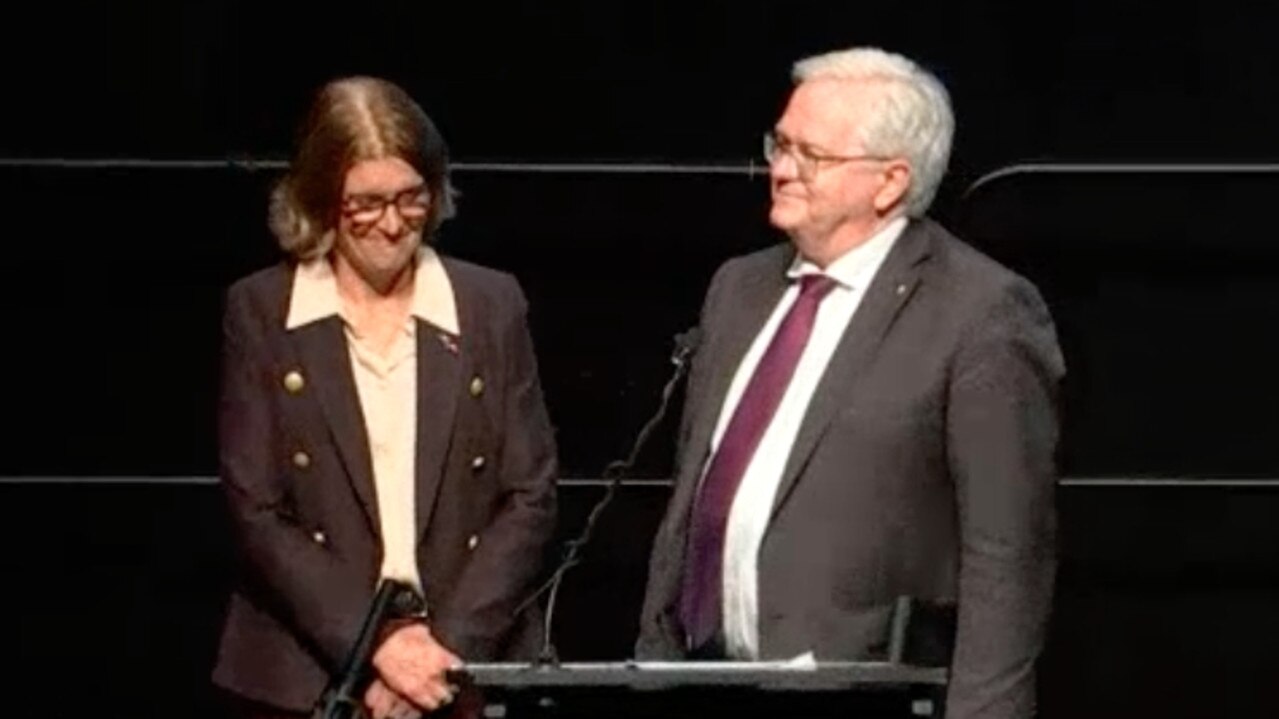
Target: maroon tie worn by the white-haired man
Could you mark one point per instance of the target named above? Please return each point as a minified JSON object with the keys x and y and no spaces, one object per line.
{"x":702,"y":597}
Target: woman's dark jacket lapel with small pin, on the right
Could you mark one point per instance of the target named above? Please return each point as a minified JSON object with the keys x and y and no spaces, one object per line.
{"x":441,"y":359}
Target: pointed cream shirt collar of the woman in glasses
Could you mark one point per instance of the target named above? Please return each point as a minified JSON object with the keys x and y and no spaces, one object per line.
{"x":315,"y":294}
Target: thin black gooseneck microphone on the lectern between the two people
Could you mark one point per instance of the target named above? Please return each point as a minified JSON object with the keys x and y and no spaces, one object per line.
{"x":686,"y":346}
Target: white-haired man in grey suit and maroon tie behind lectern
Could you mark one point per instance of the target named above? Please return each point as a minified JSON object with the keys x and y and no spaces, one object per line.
{"x":872,"y":415}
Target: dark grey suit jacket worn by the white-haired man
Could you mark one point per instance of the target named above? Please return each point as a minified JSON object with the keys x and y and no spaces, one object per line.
{"x":923,"y":469}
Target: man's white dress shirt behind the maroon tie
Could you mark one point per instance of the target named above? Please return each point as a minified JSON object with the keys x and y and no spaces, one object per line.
{"x":753,"y":505}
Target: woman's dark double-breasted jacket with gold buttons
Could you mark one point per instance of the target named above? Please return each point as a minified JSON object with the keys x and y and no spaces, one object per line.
{"x":308,"y":533}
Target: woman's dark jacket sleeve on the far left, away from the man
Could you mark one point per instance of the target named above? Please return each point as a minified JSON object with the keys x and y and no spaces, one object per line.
{"x":301,"y":583}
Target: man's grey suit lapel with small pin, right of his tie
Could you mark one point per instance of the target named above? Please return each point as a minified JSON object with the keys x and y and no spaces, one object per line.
{"x":888,"y":294}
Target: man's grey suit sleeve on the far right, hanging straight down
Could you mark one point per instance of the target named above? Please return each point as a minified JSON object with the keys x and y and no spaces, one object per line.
{"x":1002,"y":442}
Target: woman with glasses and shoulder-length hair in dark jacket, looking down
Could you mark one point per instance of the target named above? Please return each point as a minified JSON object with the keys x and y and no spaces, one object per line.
{"x":381,"y":416}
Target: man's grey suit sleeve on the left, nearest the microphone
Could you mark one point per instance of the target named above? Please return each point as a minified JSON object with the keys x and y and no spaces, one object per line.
{"x":659,"y":639}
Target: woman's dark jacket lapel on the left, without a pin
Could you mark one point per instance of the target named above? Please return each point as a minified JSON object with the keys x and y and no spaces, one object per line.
{"x":323,"y":349}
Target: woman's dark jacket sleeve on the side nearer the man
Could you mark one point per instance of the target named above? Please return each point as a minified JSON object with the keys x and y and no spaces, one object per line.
{"x":505,"y":566}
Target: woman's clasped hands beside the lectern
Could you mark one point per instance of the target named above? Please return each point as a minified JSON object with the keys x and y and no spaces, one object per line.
{"x":411,"y":663}
